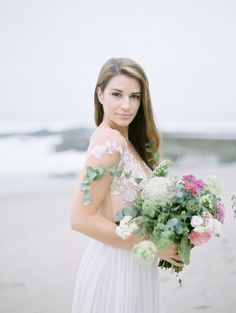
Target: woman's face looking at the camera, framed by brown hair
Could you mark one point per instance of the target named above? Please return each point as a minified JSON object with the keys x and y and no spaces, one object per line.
{"x":120,"y":100}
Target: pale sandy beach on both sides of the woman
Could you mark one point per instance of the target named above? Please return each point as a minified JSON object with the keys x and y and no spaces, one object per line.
{"x":40,"y":254}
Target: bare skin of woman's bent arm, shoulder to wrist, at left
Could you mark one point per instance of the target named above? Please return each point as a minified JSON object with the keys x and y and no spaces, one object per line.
{"x":85,"y":218}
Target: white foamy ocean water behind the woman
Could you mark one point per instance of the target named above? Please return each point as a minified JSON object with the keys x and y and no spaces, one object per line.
{"x":33,"y":153}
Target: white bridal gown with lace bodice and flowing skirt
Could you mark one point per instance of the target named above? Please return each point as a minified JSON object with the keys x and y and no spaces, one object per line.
{"x":109,"y":279}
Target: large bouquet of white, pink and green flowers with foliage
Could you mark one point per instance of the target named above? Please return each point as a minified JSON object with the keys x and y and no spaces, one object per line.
{"x":183,"y":210}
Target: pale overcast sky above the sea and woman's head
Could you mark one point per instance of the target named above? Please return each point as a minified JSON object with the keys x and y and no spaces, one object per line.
{"x":51,"y":53}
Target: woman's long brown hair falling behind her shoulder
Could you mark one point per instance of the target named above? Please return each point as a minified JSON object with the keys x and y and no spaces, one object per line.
{"x":142,"y":130}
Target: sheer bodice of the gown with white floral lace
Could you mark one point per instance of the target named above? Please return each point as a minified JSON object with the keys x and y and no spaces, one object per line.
{"x":109,"y":148}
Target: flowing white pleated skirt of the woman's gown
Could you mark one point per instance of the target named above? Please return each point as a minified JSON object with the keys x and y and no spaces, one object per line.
{"x":109,"y":280}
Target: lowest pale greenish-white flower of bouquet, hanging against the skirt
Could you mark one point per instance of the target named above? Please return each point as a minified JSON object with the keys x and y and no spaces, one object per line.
{"x":145,"y":252}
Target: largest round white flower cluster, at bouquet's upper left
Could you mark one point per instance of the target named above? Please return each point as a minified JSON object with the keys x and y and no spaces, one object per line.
{"x":158,"y":189}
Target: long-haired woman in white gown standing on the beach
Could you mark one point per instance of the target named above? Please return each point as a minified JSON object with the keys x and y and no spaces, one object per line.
{"x":109,"y":280}
